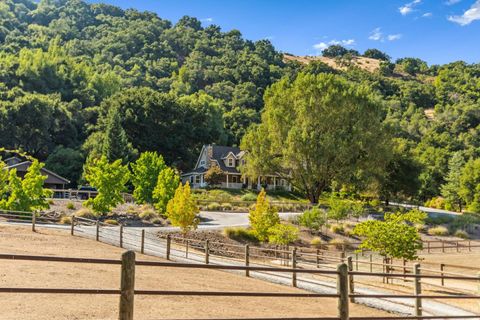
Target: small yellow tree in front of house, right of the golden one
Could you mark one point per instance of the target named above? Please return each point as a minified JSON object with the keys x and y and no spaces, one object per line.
{"x":263,"y":217}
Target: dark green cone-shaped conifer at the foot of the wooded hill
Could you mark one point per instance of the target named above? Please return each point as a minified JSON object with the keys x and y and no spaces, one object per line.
{"x":115,"y":142}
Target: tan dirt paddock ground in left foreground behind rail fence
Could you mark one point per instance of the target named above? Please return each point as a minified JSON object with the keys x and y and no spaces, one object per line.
{"x":20,"y":240}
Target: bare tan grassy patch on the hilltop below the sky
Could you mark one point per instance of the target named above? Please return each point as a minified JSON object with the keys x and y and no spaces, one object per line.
{"x":364,"y":63}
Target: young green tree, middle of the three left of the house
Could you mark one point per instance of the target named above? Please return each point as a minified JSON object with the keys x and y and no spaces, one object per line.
{"x":145,"y":172}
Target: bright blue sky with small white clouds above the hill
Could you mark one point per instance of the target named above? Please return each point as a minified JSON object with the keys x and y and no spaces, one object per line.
{"x":438,"y":31}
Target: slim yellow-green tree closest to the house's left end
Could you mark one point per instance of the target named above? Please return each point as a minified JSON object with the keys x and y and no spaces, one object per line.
{"x":167,"y":183}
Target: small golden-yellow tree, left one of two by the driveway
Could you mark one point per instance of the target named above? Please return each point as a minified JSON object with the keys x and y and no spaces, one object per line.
{"x":182,"y":210}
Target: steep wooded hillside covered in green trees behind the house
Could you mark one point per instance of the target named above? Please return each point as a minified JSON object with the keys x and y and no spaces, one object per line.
{"x":71,"y":70}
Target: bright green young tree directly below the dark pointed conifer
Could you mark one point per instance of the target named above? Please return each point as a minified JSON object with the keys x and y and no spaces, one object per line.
{"x":109,"y":179}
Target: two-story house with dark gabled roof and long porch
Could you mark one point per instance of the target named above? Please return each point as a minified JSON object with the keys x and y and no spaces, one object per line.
{"x":229,"y":159}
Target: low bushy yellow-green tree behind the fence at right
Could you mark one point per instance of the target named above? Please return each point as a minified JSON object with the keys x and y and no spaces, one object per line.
{"x":395,"y":237}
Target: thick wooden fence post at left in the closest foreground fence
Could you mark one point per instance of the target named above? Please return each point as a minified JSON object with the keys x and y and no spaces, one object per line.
{"x":127,"y":287}
